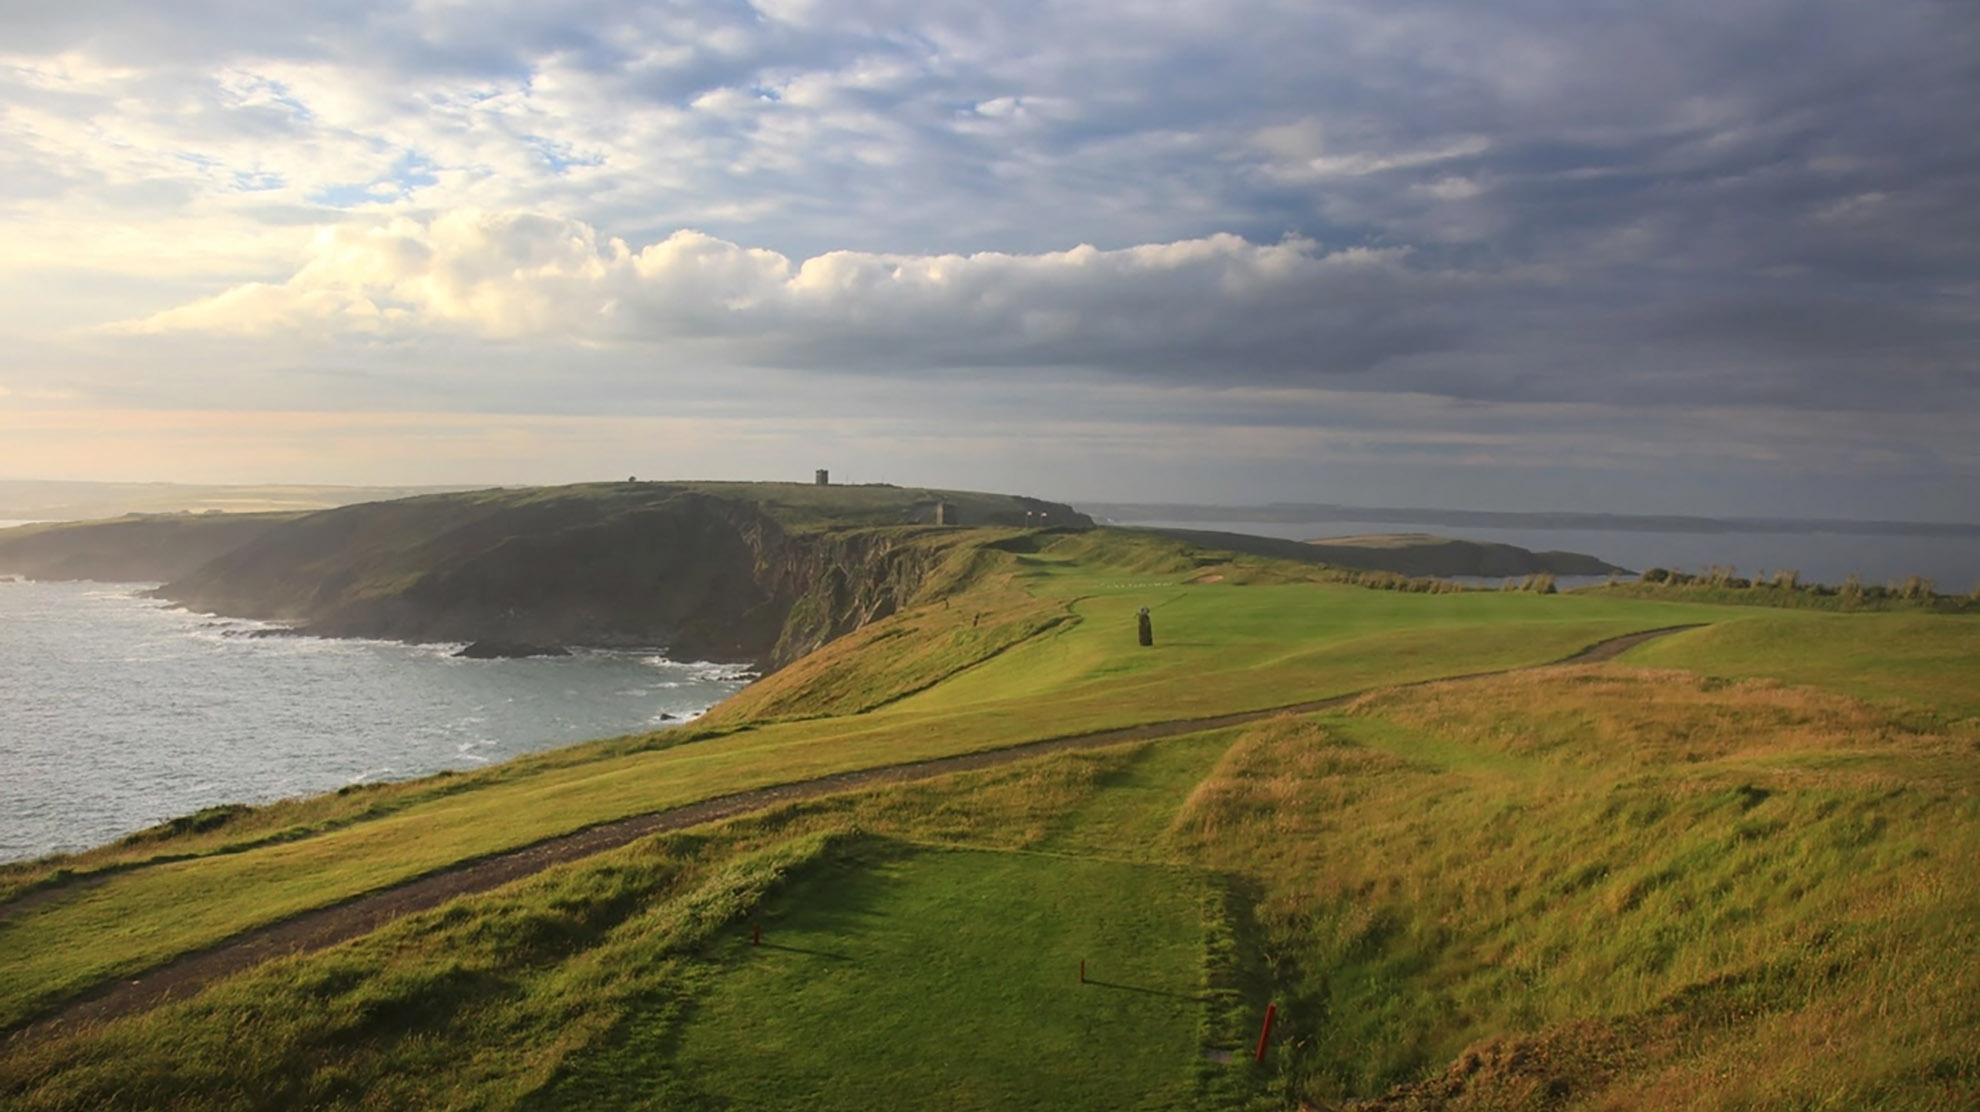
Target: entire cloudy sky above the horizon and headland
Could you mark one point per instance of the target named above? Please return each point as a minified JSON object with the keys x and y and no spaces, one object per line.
{"x":1694,"y":256}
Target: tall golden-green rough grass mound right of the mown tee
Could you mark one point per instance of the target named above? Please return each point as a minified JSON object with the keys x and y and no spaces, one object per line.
{"x":1613,"y":889}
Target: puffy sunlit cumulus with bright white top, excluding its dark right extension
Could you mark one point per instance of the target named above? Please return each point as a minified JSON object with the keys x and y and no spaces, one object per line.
{"x":528,"y":276}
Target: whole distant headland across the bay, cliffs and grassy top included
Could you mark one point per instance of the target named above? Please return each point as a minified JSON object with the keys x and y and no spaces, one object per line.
{"x":712,"y":571}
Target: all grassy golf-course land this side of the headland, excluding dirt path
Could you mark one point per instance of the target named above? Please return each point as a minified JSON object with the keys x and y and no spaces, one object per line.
{"x":1728,"y":872}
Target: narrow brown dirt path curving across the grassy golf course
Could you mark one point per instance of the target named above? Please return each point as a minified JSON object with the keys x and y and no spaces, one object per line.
{"x":361,"y":915}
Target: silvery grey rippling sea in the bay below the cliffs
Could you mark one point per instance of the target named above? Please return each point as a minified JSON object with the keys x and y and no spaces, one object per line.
{"x":120,"y":711}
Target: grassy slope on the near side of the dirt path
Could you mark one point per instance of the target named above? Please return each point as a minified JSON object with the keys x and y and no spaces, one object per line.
{"x":1587,"y":887}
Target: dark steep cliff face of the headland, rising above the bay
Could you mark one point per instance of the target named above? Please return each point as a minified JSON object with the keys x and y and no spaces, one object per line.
{"x":704,"y":577}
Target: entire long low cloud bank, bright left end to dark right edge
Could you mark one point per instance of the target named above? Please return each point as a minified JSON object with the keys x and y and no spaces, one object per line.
{"x":1217,"y":310}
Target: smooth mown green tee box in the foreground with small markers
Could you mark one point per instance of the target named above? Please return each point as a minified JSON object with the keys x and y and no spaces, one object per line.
{"x":951,"y":980}
